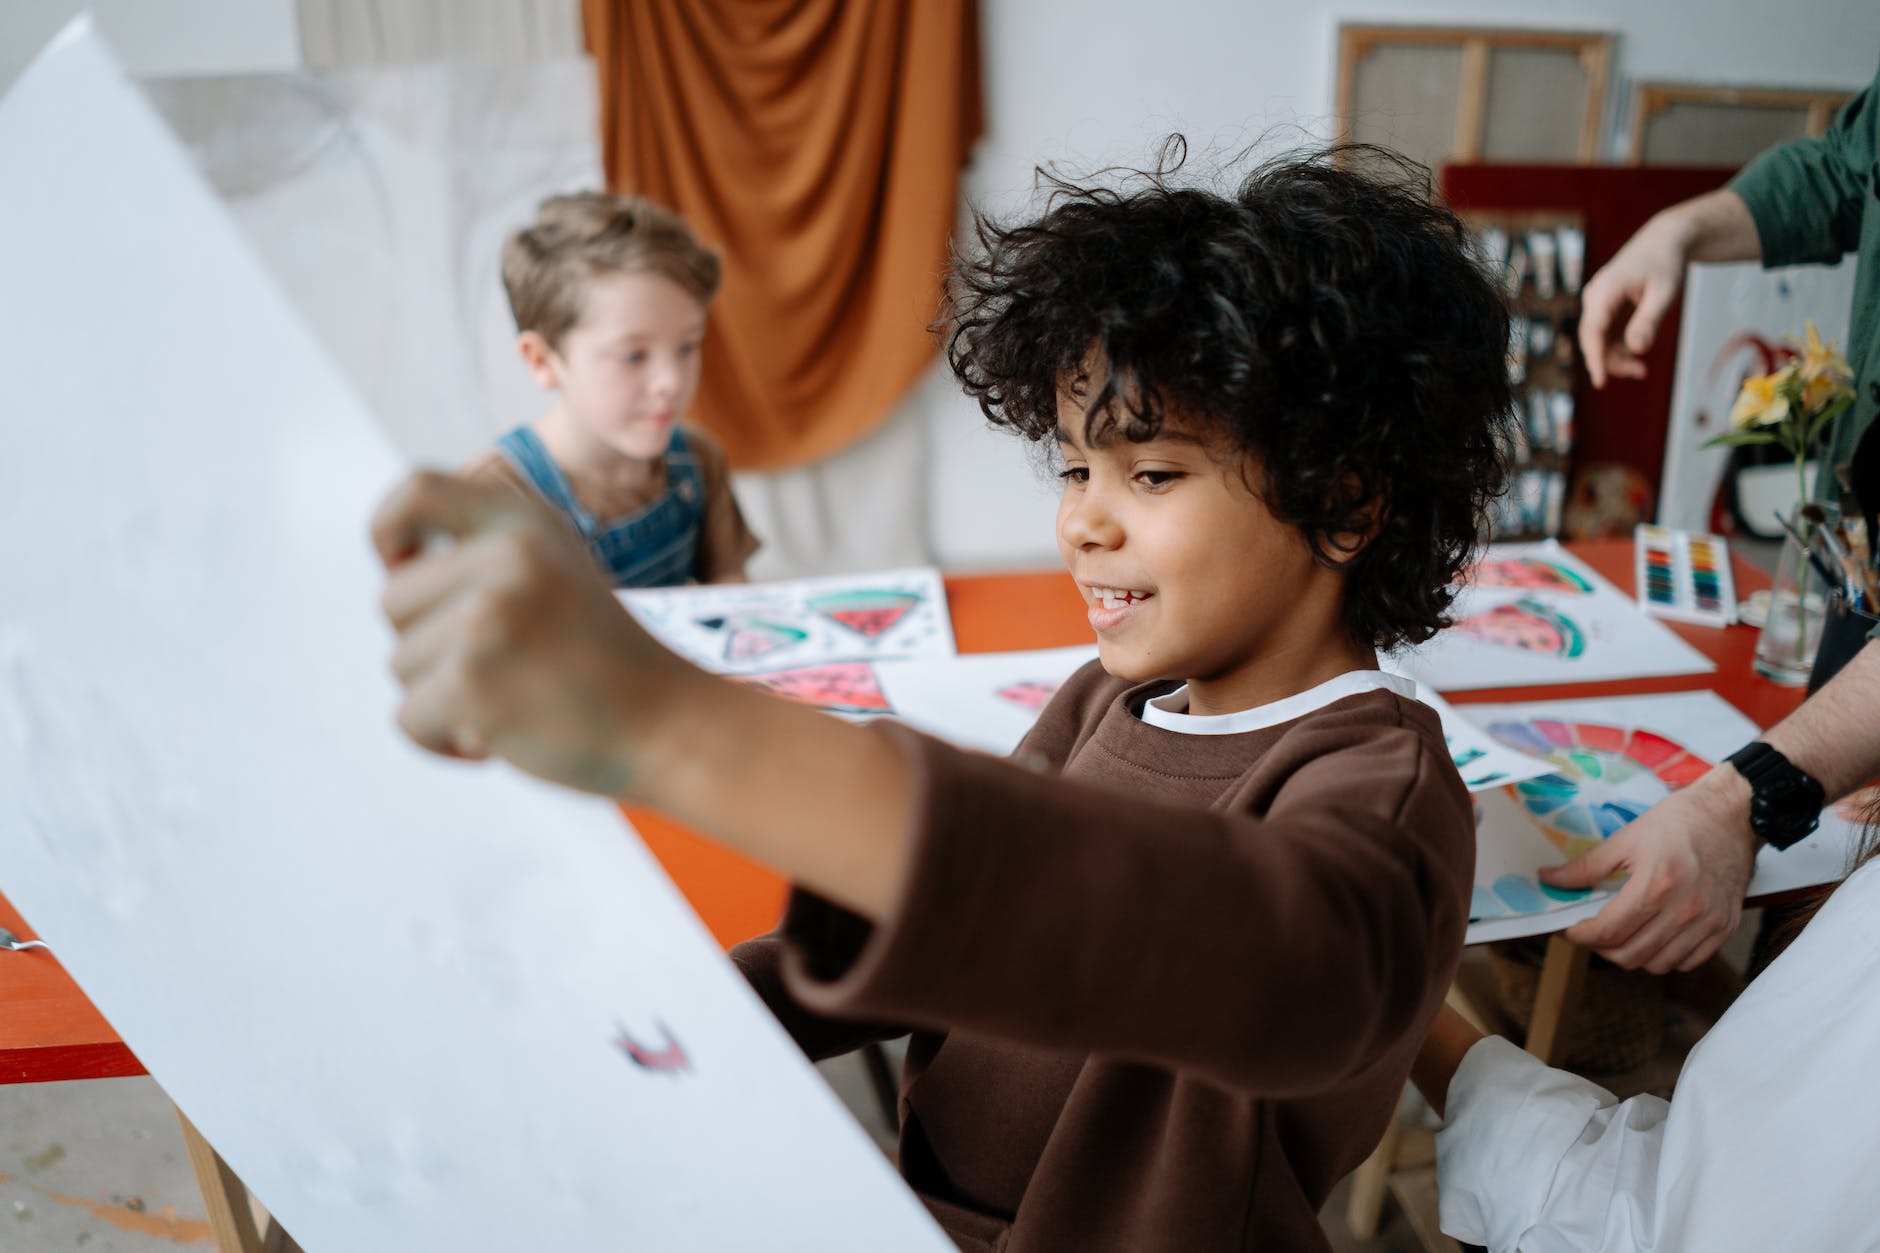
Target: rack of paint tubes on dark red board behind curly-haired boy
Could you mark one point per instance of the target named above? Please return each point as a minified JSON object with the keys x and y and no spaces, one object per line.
{"x":1539,"y":259}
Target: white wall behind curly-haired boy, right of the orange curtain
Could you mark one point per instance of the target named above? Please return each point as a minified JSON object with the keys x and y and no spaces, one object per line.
{"x":1101,"y":82}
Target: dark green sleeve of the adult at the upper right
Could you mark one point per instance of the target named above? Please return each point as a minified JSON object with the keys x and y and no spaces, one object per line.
{"x":1806,"y":197}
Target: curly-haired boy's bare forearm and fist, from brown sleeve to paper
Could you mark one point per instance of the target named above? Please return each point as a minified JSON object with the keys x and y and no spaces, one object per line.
{"x":510,"y":644}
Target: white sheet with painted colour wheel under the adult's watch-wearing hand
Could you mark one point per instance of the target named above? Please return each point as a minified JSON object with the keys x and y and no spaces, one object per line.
{"x":1612,"y":759}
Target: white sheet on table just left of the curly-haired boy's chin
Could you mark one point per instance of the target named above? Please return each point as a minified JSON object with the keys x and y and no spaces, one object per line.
{"x":980,"y":701}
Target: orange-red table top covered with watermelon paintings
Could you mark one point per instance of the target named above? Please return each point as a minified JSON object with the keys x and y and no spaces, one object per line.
{"x":50,"y":1032}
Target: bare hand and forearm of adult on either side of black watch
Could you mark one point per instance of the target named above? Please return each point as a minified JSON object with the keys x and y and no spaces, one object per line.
{"x":1691,"y":855}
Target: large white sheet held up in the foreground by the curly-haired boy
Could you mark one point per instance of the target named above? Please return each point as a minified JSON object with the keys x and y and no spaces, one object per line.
{"x":416,"y":1006}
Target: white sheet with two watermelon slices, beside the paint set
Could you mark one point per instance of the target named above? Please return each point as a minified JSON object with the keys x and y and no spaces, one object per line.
{"x":1535,"y":614}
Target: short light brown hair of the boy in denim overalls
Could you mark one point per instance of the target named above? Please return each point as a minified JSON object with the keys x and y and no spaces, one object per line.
{"x":548,"y":264}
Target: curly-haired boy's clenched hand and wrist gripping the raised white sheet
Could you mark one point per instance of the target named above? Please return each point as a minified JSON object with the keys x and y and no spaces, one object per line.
{"x":510,"y":644}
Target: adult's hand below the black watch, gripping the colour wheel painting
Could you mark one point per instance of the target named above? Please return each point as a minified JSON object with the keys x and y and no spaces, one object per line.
{"x":1689,"y":861}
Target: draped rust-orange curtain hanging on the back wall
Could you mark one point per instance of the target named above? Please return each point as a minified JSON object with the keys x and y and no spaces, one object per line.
{"x":817,"y":144}
